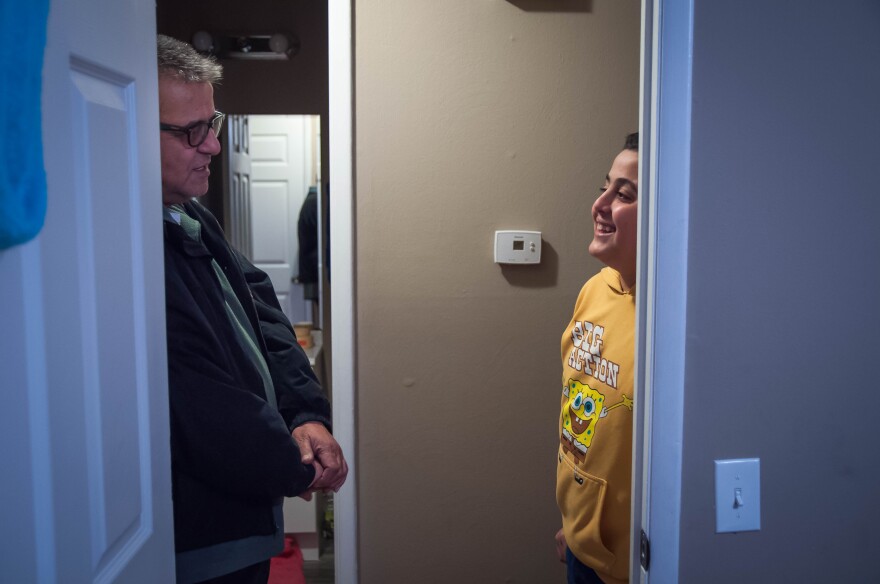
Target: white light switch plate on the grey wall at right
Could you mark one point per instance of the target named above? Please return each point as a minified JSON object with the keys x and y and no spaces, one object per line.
{"x":737,"y":495}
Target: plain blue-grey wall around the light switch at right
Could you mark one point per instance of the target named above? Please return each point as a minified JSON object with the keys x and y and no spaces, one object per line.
{"x":783,"y":326}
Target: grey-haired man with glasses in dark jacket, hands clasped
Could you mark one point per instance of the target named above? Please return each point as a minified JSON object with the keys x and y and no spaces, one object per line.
{"x":249,"y":420}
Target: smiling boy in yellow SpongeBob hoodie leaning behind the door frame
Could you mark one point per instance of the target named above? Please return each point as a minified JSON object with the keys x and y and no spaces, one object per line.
{"x":593,"y":477}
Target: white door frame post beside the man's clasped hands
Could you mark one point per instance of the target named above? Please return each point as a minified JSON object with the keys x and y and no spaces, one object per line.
{"x":342,"y":292}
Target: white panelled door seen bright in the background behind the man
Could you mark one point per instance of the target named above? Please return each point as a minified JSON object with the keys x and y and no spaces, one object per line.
{"x":282,"y":169}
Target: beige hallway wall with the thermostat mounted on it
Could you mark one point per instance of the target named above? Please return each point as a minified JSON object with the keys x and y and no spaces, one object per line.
{"x":473,"y":116}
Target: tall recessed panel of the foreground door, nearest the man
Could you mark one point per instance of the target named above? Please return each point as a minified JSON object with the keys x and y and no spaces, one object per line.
{"x":113,"y":436}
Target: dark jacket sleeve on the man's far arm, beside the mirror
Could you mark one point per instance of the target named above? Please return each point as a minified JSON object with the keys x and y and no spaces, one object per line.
{"x":300,"y":396}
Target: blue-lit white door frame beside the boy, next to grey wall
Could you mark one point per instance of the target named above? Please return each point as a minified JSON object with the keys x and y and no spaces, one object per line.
{"x":661,"y":298}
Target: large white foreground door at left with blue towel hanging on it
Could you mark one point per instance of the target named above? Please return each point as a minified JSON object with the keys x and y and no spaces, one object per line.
{"x":86,"y":488}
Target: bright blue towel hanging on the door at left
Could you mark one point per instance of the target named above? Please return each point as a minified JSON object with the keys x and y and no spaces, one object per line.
{"x":22,"y":178}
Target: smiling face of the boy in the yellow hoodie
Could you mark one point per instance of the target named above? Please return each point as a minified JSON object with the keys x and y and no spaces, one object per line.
{"x":615,"y":217}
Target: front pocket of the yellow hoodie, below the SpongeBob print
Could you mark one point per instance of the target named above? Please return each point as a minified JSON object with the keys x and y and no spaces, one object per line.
{"x":581,"y":499}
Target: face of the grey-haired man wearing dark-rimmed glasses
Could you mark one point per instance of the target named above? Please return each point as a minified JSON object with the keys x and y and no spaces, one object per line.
{"x":184,"y":168}
